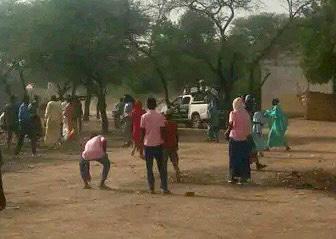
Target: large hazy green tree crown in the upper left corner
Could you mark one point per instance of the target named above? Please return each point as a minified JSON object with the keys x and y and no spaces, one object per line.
{"x":74,"y":39}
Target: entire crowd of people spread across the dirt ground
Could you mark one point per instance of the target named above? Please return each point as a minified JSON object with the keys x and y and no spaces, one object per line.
{"x":153,"y":135}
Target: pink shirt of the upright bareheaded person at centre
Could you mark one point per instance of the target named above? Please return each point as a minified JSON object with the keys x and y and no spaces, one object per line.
{"x":152,"y":122}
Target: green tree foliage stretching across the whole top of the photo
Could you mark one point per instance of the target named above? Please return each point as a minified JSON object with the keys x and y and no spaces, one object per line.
{"x":82,"y":40}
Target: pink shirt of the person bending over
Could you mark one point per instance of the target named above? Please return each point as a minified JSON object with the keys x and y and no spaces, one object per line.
{"x":94,"y":148}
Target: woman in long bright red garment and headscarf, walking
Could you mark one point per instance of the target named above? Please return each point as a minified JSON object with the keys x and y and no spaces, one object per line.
{"x":137,"y":112}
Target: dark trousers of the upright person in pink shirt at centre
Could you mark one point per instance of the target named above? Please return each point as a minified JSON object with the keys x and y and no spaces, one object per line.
{"x":157,"y":153}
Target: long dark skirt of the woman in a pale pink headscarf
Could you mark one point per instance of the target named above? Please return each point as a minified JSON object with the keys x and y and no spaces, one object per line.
{"x":239,"y":164}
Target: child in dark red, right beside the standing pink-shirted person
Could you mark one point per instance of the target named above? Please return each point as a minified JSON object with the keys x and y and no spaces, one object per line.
{"x":170,"y":145}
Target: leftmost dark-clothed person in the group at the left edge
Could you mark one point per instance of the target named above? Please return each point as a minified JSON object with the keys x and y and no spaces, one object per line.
{"x":11,"y":123}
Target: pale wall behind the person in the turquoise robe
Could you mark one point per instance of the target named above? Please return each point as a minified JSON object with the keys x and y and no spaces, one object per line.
{"x":286,"y":82}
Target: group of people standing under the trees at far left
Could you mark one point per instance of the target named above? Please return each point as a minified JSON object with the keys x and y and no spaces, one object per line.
{"x":61,"y":121}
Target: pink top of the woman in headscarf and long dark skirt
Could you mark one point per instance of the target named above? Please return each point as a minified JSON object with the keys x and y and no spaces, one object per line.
{"x":242,"y":126}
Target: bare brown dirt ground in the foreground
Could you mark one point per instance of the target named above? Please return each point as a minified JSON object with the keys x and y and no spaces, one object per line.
{"x":46,"y":199}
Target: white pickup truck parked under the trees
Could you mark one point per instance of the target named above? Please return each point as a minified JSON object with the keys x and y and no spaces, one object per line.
{"x":189,"y":111}
